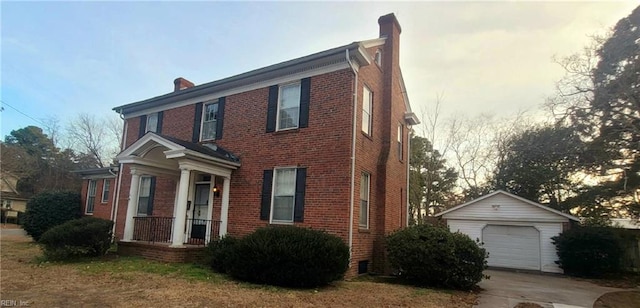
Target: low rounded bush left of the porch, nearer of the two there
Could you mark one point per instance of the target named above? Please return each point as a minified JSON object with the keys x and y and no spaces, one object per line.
{"x":84,"y":237}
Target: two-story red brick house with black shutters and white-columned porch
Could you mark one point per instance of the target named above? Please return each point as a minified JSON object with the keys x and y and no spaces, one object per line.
{"x":320,"y":141}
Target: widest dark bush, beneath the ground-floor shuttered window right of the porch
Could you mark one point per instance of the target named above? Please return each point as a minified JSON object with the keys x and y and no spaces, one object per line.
{"x":285,"y":256}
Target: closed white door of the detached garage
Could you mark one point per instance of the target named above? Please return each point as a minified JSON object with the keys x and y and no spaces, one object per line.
{"x":512,"y":246}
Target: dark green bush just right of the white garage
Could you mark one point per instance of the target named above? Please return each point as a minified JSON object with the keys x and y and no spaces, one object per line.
{"x":589,"y":251}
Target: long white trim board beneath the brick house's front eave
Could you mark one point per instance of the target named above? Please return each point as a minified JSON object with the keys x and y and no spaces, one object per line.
{"x":237,"y":90}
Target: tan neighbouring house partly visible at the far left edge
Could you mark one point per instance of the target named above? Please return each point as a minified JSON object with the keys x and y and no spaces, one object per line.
{"x":13,"y":204}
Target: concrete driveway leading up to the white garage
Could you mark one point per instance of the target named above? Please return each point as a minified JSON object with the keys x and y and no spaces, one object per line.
{"x":507,"y":289}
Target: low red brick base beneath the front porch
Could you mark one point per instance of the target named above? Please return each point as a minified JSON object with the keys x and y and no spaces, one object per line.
{"x":161,"y":252}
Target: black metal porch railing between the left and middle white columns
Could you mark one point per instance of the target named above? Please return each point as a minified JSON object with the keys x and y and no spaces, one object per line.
{"x":153,"y":229}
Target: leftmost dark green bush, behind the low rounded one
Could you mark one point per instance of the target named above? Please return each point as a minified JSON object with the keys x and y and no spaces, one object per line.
{"x":48,"y":209}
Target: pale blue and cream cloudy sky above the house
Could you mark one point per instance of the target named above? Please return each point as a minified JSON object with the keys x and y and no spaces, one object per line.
{"x":64,"y":58}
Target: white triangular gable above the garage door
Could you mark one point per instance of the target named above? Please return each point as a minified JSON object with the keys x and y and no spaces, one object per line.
{"x":501,"y":205}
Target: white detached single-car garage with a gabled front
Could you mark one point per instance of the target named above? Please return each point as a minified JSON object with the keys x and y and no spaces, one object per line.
{"x":515,"y":231}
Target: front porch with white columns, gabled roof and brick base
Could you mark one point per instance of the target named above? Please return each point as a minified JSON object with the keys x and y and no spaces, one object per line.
{"x":178,"y":197}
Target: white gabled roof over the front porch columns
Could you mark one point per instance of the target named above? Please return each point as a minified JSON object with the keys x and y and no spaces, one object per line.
{"x":169,"y":153}
